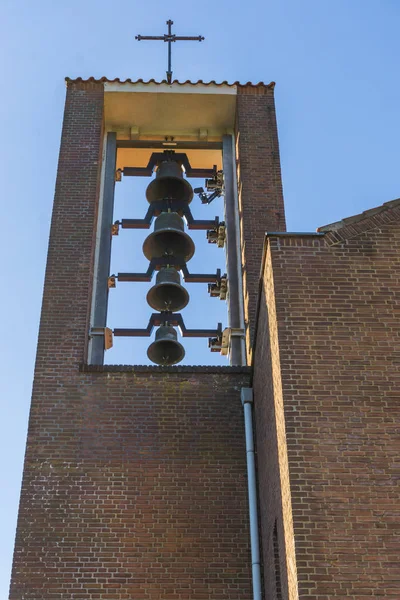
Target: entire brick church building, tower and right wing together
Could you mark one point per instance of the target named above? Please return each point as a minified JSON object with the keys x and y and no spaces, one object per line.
{"x":136,"y":483}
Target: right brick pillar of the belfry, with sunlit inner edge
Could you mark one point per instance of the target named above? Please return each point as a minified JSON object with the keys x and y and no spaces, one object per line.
{"x":261,"y":206}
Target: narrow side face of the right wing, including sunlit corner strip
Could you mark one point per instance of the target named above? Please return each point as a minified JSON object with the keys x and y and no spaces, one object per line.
{"x":279,"y":564}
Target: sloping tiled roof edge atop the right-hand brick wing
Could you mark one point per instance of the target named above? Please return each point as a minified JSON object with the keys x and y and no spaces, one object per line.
{"x":350,"y":227}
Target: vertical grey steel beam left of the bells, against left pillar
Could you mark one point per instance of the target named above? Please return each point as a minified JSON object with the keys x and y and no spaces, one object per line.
{"x":103,"y":250}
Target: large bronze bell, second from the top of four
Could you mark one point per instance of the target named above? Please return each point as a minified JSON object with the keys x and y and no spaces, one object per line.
{"x":168,"y":239}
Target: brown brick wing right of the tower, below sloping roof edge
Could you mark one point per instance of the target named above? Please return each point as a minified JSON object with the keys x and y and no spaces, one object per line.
{"x":332,"y":319}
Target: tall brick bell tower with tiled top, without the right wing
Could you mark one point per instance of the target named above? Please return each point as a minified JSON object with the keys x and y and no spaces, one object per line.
{"x":134,"y":481}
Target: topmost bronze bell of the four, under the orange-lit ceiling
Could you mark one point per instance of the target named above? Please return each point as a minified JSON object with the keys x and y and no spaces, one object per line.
{"x":169,"y":183}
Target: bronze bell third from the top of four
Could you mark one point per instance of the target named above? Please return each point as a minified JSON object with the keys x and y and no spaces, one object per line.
{"x":168,"y":293}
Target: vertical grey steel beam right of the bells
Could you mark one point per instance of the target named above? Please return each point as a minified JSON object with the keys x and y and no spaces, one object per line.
{"x":232,"y":250}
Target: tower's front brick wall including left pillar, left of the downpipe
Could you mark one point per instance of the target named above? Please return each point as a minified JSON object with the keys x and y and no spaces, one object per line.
{"x":134,"y":481}
